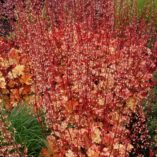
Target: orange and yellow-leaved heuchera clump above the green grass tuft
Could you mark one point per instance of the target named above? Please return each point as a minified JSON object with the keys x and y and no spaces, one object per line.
{"x":15,"y":79}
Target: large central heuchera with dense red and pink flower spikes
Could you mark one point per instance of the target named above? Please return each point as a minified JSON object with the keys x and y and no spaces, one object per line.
{"x":89,"y":77}
